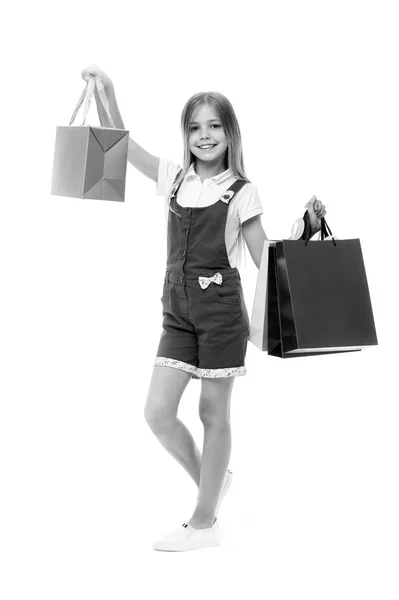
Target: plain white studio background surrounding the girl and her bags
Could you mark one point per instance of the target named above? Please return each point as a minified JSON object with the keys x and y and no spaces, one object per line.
{"x":86,"y":486}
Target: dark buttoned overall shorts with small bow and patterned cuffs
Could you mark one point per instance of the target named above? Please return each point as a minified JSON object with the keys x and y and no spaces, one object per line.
{"x":205,"y":320}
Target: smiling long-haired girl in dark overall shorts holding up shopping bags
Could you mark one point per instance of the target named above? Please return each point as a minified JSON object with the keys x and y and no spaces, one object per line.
{"x":210,"y":203}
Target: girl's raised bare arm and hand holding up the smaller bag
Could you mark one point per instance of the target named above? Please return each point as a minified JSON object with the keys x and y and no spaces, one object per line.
{"x":137,"y":156}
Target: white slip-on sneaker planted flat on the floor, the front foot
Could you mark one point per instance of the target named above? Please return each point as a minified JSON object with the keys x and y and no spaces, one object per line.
{"x":188,"y":538}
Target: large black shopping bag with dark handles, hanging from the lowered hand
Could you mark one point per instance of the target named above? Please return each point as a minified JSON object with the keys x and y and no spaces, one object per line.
{"x":318,"y":297}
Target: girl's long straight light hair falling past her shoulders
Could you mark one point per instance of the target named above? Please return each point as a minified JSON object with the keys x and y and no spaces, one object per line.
{"x":234,"y":156}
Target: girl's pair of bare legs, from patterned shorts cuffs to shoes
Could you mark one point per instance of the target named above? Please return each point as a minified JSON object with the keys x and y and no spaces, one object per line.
{"x":208,"y":471}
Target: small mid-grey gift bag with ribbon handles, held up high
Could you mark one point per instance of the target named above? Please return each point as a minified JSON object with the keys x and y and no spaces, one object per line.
{"x":90,"y":161}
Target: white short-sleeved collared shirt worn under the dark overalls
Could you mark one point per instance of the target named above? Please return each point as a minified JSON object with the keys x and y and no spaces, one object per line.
{"x":192,"y":192}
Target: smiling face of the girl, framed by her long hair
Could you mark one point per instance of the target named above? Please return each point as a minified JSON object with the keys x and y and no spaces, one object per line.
{"x":205,"y":129}
